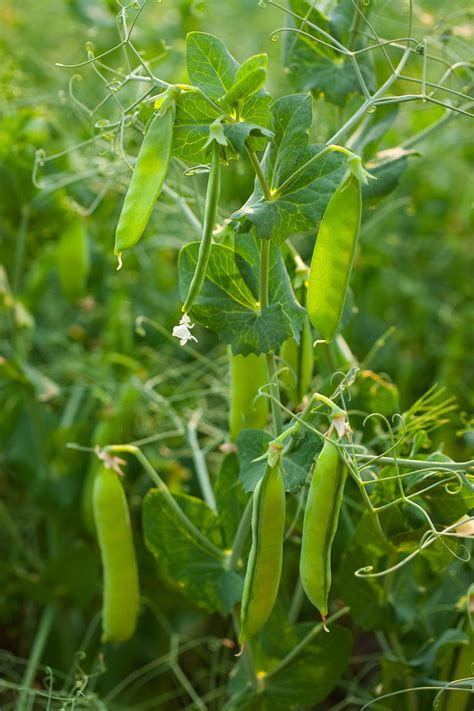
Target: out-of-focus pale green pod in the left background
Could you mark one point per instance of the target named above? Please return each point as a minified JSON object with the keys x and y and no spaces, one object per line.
{"x":72,"y":258}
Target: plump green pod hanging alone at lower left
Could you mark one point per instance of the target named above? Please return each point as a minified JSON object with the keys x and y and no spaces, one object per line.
{"x":121,"y":592}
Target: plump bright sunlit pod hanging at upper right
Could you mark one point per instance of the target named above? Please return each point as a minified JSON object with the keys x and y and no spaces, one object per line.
{"x":333,"y":256}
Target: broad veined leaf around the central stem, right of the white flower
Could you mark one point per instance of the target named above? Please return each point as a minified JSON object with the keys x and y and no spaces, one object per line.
{"x":228,"y":302}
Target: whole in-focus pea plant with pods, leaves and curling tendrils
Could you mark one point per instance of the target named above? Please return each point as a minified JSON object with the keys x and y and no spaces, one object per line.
{"x":322,"y":502}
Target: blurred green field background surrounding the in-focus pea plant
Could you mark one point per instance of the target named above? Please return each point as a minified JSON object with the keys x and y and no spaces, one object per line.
{"x":80,"y":372}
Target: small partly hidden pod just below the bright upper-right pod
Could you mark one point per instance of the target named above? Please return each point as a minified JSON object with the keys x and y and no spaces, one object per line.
{"x":299,"y":359}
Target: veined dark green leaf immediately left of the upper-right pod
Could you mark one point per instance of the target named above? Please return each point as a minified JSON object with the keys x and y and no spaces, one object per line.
{"x":303,"y":202}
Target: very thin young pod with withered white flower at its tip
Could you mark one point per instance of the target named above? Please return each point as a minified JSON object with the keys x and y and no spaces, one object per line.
{"x":210,"y":211}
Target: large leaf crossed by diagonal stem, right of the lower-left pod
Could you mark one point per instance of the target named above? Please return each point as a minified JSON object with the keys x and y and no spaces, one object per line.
{"x":200,"y":576}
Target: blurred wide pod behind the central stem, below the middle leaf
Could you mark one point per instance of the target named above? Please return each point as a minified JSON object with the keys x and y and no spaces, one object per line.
{"x":247,"y":375}
